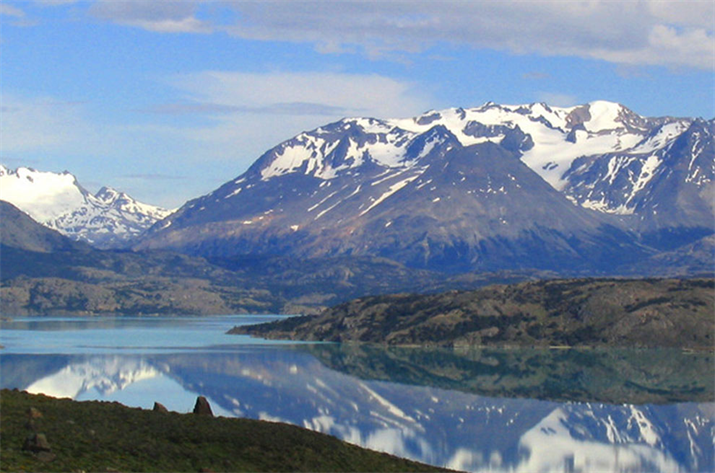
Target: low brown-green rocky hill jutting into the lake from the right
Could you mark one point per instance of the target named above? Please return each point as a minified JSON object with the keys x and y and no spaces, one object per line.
{"x":579,"y":312}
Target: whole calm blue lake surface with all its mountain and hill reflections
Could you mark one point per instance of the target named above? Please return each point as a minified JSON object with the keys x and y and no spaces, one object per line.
{"x":472,"y":410}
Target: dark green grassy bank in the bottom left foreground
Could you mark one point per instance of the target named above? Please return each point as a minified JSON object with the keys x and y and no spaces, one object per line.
{"x":101,"y":437}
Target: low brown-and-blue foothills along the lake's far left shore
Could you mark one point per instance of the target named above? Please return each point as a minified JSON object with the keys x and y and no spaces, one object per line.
{"x":43,"y":272}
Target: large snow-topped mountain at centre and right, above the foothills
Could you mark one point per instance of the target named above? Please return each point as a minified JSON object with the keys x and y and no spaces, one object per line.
{"x":584,"y":188}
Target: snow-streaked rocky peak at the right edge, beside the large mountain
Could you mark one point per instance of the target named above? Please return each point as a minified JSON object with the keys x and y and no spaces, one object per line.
{"x":665,"y":179}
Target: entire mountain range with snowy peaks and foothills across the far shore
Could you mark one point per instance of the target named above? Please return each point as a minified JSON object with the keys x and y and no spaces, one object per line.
{"x":454,"y":199}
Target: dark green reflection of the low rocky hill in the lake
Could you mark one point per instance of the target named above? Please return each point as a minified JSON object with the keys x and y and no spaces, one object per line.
{"x":613,"y":376}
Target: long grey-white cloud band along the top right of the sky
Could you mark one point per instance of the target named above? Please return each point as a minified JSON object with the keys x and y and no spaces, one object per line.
{"x":622,"y":32}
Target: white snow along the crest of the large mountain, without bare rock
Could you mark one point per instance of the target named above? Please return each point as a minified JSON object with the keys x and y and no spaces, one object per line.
{"x":603,"y":130}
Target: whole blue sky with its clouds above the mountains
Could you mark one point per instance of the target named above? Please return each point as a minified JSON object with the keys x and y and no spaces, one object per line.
{"x":167,"y":100}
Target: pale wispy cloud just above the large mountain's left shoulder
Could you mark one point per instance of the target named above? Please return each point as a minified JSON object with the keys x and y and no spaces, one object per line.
{"x":253,"y":112}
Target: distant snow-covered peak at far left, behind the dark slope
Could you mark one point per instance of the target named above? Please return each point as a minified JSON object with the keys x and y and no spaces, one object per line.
{"x":107,"y":219}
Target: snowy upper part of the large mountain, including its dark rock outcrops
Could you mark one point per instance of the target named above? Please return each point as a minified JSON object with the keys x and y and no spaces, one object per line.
{"x":548,"y":139}
